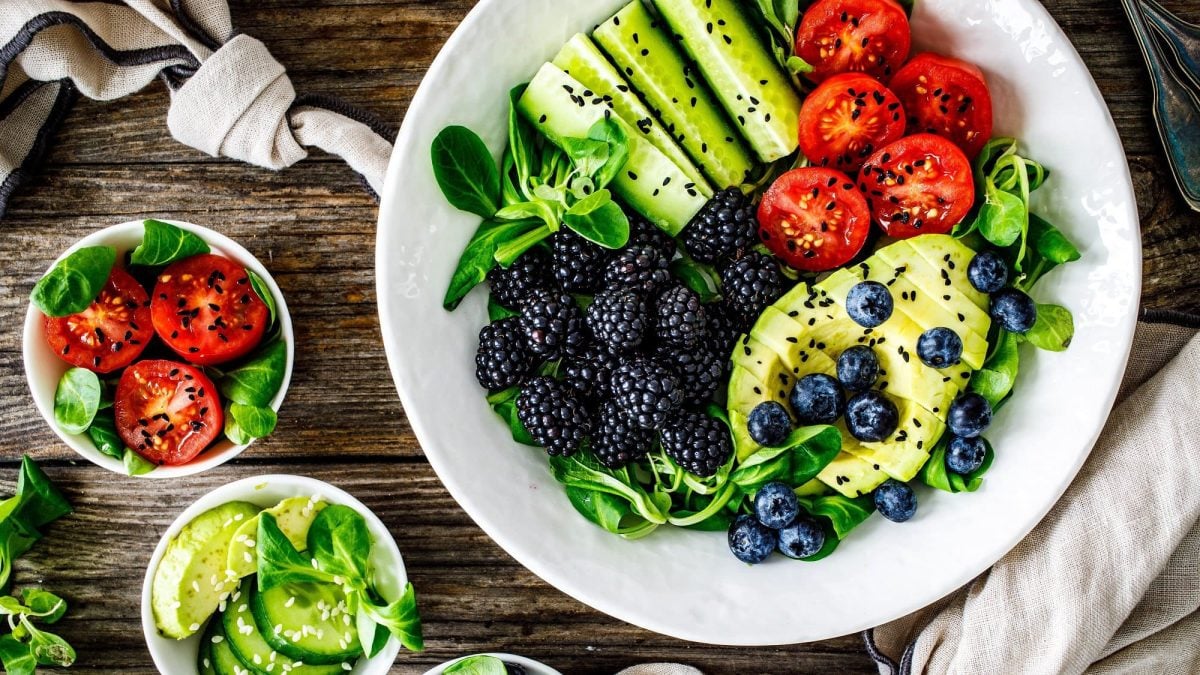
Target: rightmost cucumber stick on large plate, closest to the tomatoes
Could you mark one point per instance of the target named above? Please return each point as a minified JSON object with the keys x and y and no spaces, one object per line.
{"x":743,"y":75}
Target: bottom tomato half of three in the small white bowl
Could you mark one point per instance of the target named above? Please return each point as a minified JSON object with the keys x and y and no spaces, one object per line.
{"x":169,"y":413}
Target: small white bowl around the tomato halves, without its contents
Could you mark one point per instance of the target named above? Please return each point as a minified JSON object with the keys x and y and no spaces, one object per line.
{"x":44,"y":368}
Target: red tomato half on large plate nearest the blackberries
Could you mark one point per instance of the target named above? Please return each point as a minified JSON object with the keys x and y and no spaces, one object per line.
{"x":814,"y":219}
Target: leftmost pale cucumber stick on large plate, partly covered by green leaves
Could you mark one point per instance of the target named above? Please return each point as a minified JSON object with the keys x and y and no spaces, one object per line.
{"x":651,"y":182}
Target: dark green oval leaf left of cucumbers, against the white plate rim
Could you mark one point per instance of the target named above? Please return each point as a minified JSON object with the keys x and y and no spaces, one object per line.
{"x":466,"y":171}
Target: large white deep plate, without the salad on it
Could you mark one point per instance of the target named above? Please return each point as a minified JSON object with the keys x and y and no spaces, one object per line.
{"x":687,"y":584}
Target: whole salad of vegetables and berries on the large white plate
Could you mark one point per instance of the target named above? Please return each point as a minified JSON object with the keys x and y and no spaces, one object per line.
{"x":754,"y":268}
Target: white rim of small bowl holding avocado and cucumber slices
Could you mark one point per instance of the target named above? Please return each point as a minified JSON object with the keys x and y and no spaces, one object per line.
{"x":245,"y":489}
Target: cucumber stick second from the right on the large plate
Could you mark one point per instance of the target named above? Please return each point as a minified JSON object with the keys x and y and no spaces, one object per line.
{"x":673,"y":87}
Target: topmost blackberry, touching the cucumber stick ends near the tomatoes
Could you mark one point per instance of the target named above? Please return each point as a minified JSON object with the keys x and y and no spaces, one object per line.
{"x":724,"y":228}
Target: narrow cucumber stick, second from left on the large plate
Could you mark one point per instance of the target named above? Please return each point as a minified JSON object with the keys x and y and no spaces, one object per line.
{"x":581,"y":59}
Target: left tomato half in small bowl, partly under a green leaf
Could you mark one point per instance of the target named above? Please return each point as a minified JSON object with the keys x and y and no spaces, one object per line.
{"x":111,"y":333}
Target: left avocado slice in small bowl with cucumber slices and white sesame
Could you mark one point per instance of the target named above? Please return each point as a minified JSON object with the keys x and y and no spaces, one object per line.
{"x":191,"y":580}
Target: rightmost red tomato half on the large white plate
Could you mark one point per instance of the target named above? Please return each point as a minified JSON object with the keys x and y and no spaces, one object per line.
{"x":946,"y":97}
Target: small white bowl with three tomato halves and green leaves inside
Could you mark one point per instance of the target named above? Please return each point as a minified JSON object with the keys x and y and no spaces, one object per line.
{"x":158,"y":349}
